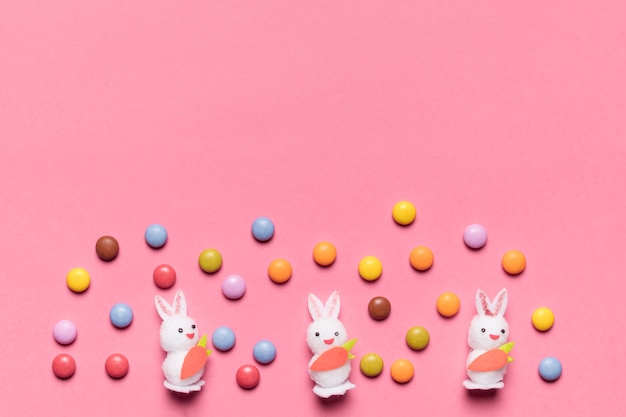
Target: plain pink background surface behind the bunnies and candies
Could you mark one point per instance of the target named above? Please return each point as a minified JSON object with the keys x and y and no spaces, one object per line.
{"x":321,"y":115}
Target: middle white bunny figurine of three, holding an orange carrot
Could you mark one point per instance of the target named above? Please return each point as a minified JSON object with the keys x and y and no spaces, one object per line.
{"x":328,"y":340}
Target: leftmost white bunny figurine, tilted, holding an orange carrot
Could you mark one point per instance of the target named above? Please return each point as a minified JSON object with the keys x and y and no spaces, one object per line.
{"x":186,"y":351}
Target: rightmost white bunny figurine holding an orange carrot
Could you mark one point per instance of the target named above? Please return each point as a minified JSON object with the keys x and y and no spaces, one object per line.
{"x":487,"y":338}
